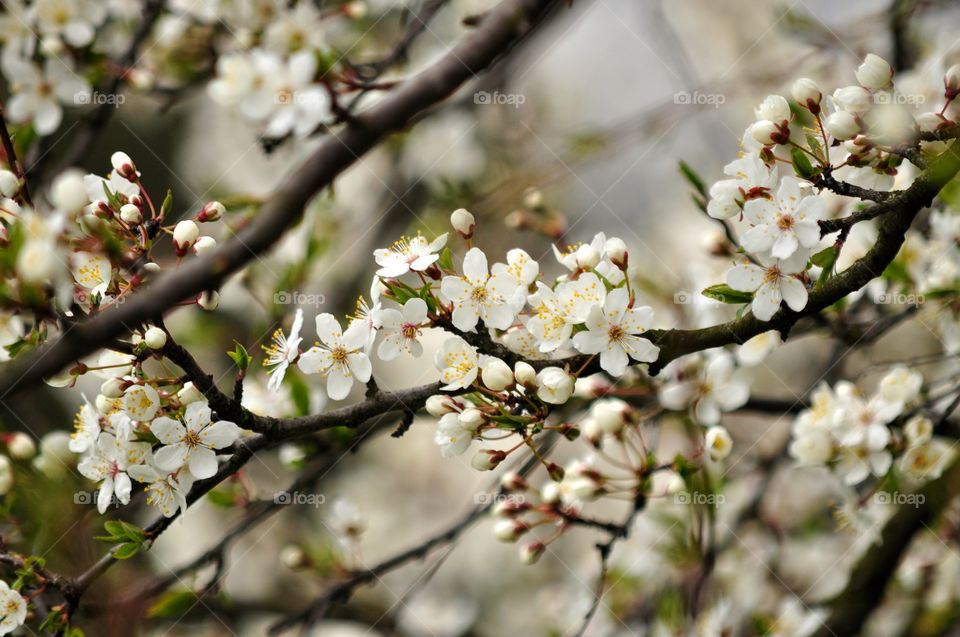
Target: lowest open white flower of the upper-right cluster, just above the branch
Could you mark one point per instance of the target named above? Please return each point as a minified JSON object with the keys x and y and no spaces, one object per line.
{"x":772,"y":282}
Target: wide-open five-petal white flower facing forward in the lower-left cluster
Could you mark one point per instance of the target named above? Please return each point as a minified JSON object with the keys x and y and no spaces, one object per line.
{"x":192,"y":442}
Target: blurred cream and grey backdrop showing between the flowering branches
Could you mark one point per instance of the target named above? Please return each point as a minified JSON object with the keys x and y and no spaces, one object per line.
{"x":579,"y":131}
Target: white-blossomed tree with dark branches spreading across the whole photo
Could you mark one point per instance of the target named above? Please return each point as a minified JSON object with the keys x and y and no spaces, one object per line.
{"x":599,"y":398}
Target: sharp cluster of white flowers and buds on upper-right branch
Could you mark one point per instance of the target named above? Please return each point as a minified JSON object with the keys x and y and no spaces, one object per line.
{"x":850,"y":136}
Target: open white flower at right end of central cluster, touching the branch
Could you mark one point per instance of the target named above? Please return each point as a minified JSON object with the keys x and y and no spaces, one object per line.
{"x":612,"y":332}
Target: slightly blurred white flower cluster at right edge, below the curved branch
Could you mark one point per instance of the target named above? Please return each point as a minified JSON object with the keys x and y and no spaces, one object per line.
{"x":857,"y":436}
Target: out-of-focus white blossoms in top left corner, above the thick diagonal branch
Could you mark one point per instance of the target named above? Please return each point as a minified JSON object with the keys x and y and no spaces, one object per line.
{"x":273,"y":61}
